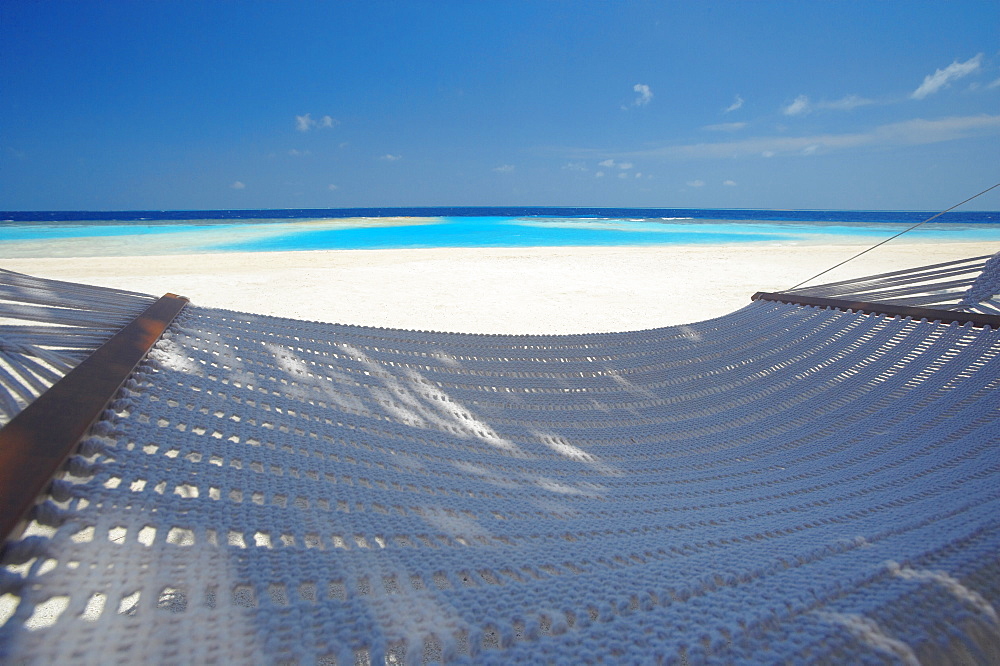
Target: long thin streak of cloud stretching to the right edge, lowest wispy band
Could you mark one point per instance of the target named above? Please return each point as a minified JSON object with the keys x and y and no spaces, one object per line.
{"x":906,"y":133}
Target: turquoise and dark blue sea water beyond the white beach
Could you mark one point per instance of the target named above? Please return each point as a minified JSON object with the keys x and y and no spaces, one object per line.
{"x":89,"y":233}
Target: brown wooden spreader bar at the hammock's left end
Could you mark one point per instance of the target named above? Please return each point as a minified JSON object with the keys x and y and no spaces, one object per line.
{"x":38,"y":440}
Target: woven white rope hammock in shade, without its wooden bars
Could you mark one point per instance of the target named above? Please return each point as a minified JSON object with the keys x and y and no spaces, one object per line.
{"x":784,"y":483}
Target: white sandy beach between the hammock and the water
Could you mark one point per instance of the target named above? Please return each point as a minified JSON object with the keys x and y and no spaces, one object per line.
{"x":519,"y":290}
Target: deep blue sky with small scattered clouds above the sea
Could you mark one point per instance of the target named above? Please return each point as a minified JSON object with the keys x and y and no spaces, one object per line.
{"x":191,"y":105}
